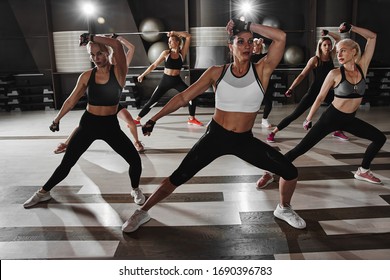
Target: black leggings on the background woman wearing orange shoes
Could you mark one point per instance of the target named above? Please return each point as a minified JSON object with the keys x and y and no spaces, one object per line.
{"x":167,"y":83}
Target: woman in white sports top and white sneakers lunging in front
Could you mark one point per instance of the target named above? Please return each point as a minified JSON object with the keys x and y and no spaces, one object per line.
{"x":239,"y":88}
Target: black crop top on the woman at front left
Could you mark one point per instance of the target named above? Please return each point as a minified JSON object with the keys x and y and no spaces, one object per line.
{"x":107,"y":94}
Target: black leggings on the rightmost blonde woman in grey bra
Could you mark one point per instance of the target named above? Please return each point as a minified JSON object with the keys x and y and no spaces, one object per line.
{"x":332,"y":120}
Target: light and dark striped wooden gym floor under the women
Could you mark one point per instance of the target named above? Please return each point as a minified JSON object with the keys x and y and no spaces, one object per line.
{"x":218,"y":214}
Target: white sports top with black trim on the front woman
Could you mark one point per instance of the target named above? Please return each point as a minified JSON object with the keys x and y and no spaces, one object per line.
{"x":239,"y":94}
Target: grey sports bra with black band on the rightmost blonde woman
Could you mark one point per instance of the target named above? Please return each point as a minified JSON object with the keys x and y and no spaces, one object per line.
{"x":346,"y":89}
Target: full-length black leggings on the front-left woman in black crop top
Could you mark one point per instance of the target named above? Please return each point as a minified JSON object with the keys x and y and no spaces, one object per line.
{"x":92,"y":128}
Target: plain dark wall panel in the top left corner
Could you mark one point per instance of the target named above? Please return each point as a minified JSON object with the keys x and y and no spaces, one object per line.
{"x":24,"y":42}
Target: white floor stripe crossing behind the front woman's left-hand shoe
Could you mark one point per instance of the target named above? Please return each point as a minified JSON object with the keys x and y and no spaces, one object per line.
{"x":105,"y":215}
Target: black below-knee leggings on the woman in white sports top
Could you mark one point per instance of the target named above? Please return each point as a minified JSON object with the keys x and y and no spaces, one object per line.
{"x":217,"y":142}
